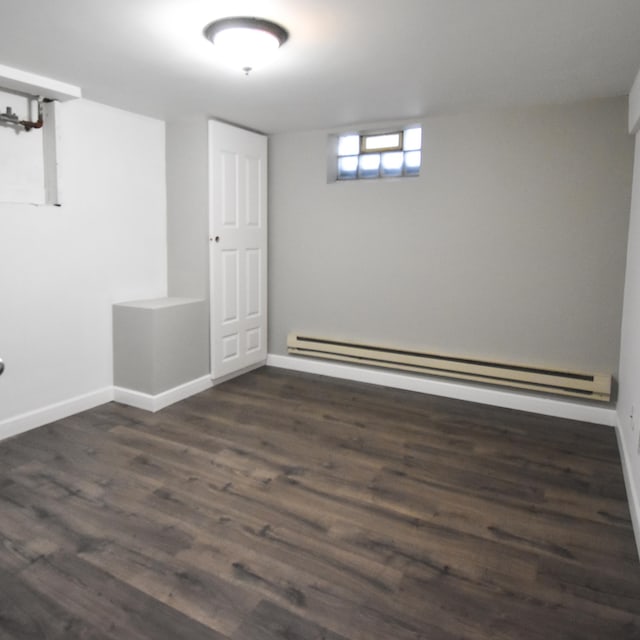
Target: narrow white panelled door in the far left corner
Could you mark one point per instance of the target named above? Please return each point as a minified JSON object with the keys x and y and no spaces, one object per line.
{"x":238,"y":248}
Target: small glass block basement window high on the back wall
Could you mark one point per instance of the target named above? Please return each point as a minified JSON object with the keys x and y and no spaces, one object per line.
{"x":389,"y":154}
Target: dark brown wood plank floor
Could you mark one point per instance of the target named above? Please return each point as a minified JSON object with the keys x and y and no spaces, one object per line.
{"x":282,"y":506}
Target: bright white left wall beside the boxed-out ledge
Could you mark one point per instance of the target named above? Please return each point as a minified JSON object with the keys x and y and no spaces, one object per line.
{"x":63,"y":267}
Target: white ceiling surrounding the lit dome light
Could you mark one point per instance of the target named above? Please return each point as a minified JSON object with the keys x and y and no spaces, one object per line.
{"x":347,"y":61}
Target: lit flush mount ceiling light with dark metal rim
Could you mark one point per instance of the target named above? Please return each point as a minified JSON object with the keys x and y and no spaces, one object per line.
{"x":246,"y":42}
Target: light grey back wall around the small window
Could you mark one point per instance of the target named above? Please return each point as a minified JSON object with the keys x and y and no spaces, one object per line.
{"x":510,"y":245}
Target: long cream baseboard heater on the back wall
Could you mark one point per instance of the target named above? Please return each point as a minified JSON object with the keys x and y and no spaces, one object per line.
{"x":567,"y":383}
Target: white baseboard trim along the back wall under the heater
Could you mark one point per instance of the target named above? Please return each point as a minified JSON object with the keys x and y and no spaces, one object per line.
{"x":469,"y":392}
